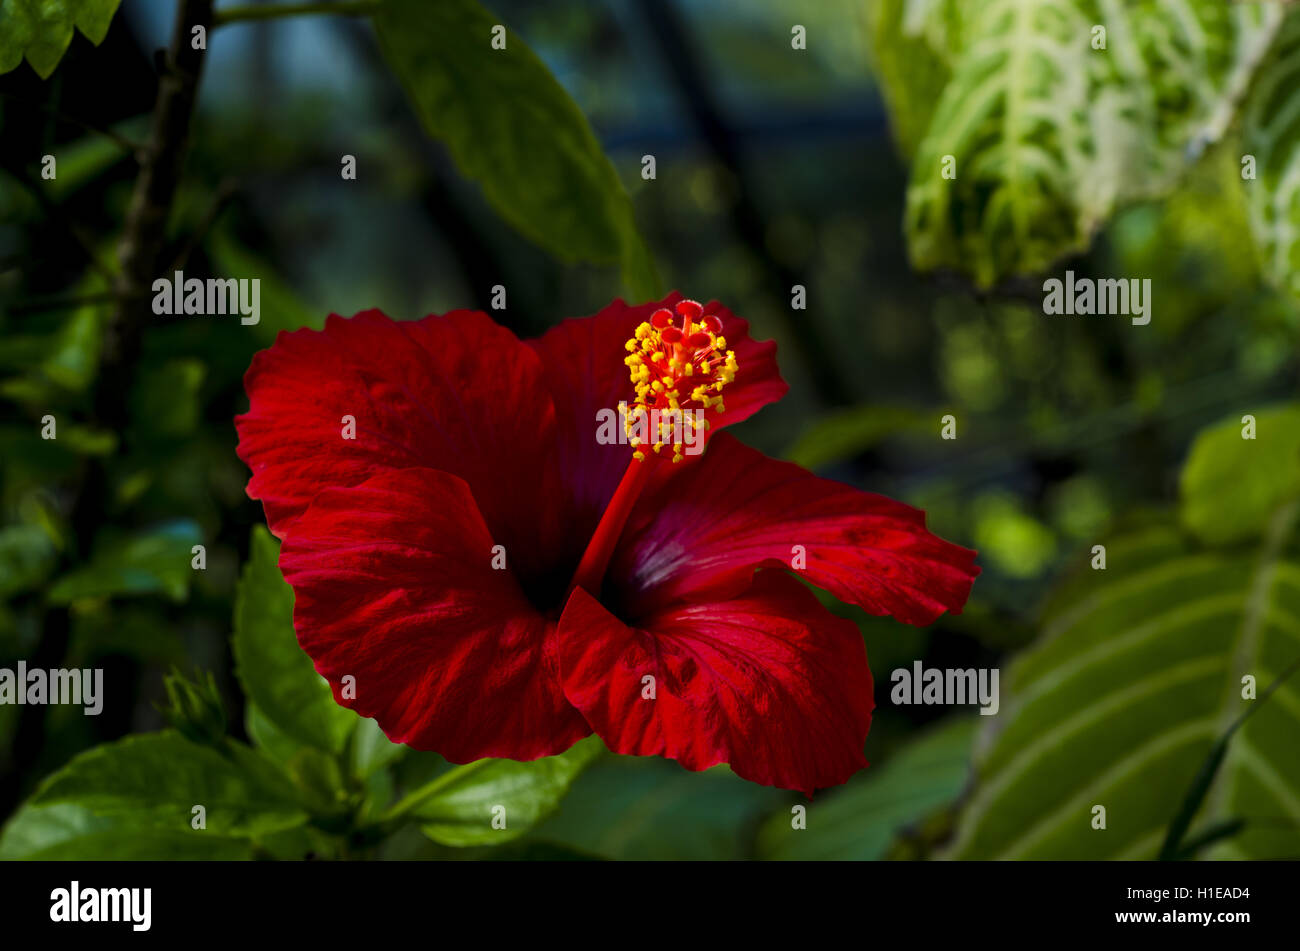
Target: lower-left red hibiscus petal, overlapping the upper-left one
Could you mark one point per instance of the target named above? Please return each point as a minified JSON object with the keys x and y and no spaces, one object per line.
{"x":393,"y":585}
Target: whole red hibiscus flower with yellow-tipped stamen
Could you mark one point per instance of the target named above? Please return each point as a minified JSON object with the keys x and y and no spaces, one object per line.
{"x":640,"y":600}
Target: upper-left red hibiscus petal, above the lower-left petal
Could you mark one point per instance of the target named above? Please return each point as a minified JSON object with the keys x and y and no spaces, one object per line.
{"x":427,"y":393}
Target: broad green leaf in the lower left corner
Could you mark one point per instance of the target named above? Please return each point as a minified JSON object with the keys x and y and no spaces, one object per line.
{"x":155,"y":780}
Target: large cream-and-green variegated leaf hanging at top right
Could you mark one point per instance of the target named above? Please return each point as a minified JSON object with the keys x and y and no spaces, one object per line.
{"x":1051,"y":136}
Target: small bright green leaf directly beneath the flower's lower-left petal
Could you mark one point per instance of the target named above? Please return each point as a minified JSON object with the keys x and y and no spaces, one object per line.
{"x":460,"y":807}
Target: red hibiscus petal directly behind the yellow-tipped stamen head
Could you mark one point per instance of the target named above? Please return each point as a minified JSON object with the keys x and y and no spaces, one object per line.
{"x":586,"y":374}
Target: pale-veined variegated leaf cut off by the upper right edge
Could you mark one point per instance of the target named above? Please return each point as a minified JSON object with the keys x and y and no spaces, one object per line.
{"x":1271,"y":131}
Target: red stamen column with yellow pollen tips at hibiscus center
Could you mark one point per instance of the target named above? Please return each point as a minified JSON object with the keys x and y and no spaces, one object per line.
{"x":679,"y":366}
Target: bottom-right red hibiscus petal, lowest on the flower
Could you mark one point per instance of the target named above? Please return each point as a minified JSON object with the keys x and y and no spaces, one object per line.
{"x":770,"y":683}
